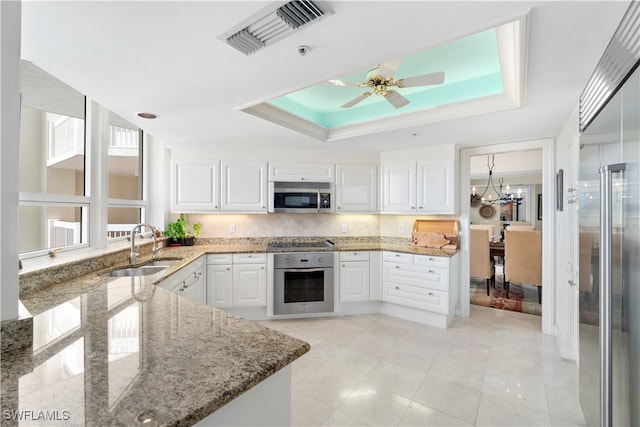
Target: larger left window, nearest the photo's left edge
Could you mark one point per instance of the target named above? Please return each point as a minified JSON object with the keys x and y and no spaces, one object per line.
{"x":53,"y":208}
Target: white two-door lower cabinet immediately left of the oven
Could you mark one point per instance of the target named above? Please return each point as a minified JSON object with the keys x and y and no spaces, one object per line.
{"x":237,"y":280}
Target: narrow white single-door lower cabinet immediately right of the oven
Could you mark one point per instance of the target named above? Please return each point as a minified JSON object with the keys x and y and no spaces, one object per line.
{"x":354,"y":276}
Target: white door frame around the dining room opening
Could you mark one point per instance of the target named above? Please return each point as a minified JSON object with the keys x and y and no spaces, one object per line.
{"x":547,"y":226}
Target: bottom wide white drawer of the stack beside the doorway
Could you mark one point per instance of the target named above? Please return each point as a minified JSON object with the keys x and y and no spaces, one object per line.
{"x":416,"y":297}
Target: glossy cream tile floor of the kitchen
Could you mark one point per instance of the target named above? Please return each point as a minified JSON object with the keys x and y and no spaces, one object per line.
{"x":494,"y":369}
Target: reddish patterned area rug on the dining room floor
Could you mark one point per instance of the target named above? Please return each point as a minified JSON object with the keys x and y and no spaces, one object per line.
{"x":522,"y":298}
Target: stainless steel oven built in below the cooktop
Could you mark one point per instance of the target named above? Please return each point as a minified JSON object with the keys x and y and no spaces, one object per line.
{"x":303,"y":283}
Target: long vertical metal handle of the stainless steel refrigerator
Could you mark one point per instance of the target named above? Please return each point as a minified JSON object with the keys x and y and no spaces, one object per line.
{"x":606,"y":229}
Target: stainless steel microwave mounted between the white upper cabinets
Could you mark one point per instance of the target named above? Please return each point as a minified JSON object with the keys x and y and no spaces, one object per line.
{"x":300,"y":197}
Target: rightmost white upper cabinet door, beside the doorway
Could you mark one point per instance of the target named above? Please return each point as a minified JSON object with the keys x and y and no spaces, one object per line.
{"x":436,"y":187}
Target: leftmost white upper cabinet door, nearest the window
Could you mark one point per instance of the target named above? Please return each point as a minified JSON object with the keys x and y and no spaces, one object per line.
{"x":195,"y":186}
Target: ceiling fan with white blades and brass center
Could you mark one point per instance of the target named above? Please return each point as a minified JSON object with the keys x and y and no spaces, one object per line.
{"x":380,"y":79}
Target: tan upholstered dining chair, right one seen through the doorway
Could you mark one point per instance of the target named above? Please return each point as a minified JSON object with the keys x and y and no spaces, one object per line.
{"x":523,"y":259}
